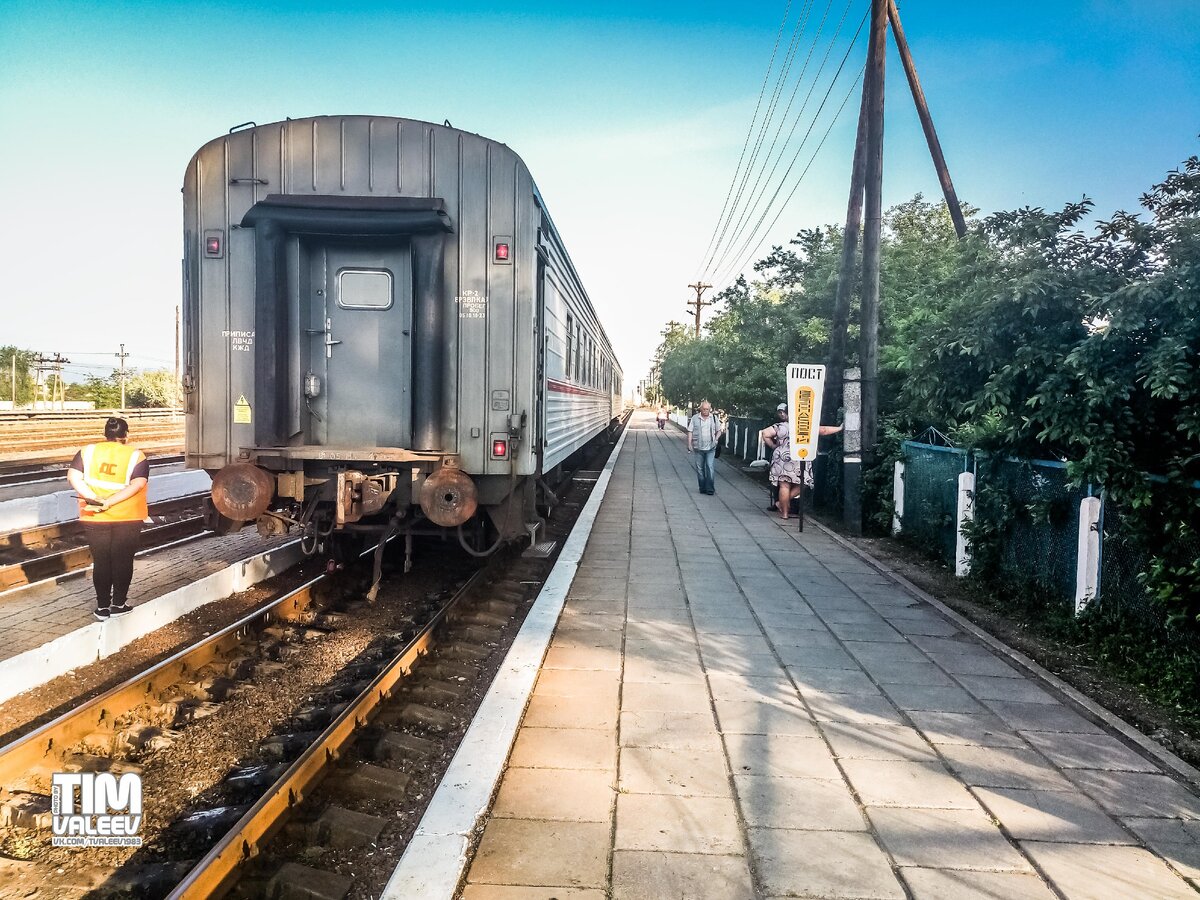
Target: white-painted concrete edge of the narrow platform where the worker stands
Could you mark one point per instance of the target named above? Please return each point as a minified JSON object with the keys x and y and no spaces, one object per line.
{"x":89,"y":644}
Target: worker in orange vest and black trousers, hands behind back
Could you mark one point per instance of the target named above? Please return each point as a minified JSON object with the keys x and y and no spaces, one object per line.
{"x":111,"y":479}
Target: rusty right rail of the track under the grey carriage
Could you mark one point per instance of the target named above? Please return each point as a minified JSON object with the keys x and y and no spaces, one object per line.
{"x":218,"y":872}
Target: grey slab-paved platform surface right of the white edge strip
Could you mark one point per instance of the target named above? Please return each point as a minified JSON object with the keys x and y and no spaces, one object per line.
{"x":730,"y":710}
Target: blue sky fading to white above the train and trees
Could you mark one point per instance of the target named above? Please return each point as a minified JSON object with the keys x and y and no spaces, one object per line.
{"x":631,"y":116}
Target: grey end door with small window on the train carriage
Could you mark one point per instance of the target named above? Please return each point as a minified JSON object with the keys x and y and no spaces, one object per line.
{"x":361,"y":321}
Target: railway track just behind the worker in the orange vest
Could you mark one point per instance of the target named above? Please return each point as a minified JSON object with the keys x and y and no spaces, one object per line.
{"x":56,"y":550}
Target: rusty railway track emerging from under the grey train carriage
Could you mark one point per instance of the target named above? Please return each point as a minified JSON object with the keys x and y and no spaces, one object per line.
{"x":123,"y":731}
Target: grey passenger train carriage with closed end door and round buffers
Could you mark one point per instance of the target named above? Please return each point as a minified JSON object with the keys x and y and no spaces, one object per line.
{"x":382,"y":331}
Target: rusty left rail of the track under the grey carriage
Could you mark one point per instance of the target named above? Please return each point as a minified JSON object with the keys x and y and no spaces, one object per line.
{"x":40,"y":752}
